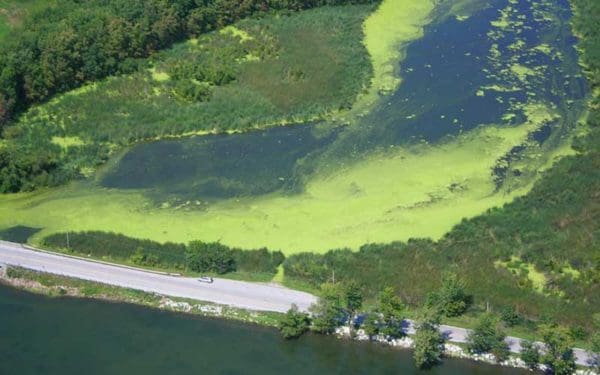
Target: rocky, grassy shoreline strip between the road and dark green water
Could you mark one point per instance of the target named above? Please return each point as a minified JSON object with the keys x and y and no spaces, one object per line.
{"x":55,"y":286}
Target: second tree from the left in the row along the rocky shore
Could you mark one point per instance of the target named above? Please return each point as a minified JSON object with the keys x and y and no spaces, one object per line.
{"x":328,"y":313}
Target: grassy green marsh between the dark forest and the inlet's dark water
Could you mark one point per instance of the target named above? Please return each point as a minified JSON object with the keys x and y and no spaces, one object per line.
{"x":257,"y":71}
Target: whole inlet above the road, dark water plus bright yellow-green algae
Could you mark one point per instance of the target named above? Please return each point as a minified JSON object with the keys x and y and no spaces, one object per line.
{"x":468,"y":105}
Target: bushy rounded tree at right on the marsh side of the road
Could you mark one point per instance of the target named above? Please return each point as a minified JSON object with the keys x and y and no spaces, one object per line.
{"x":451,"y":299}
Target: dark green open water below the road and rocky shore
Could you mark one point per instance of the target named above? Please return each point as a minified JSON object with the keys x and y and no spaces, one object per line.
{"x":41,"y":335}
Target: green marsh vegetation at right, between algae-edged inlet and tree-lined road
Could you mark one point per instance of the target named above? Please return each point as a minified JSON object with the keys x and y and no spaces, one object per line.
{"x":551,"y":233}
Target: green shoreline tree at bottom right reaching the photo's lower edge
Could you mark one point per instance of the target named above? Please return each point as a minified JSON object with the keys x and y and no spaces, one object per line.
{"x":559,"y":354}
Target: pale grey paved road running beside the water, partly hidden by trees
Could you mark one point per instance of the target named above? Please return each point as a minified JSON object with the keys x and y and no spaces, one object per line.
{"x":253,"y":296}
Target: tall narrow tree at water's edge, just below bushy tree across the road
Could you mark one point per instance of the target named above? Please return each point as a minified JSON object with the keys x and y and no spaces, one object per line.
{"x":429,"y":341}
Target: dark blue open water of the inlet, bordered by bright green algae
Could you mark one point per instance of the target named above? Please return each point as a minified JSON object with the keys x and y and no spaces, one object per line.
{"x":440,"y":96}
